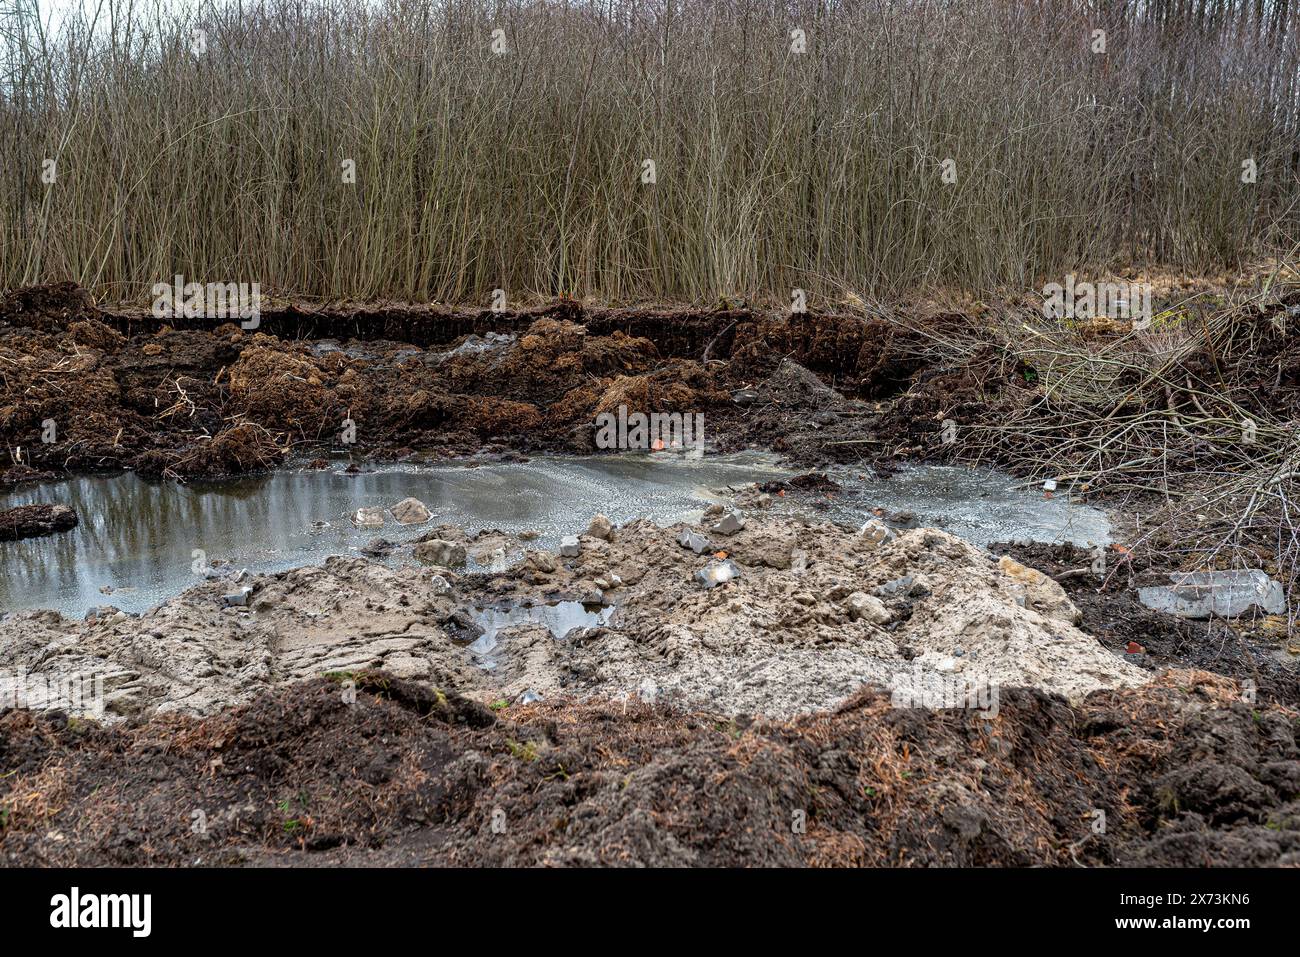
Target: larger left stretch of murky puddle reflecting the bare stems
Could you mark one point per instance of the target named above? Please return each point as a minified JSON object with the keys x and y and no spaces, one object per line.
{"x":141,"y":538}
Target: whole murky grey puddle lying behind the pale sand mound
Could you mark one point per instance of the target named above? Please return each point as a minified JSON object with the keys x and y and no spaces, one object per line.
{"x":142,"y":542}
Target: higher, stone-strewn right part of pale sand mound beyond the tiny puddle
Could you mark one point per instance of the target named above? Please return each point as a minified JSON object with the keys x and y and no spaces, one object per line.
{"x":926,"y":614}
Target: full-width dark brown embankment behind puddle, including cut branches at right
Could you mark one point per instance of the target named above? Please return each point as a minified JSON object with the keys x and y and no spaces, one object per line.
{"x":1095,"y":402}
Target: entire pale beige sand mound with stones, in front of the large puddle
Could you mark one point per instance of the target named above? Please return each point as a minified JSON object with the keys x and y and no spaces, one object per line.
{"x":816,"y":614}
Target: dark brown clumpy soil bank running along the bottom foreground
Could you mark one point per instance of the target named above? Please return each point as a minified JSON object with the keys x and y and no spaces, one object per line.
{"x":369,"y":769}
